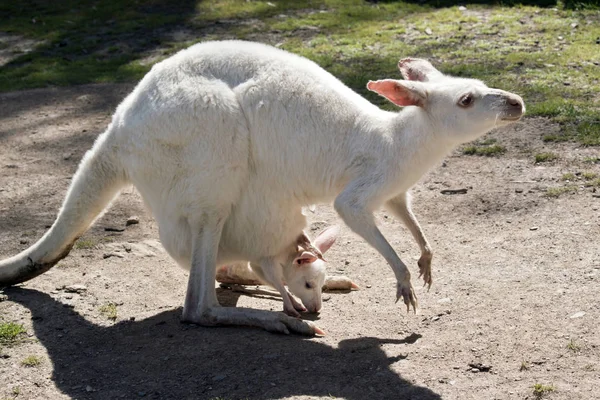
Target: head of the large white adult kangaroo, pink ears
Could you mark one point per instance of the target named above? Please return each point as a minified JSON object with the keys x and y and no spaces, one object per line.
{"x":460,"y":109}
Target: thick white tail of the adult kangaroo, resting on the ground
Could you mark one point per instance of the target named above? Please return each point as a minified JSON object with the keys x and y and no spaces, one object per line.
{"x":96,"y":183}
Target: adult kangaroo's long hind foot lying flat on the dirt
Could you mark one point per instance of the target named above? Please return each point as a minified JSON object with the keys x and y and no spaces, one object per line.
{"x":270,"y":321}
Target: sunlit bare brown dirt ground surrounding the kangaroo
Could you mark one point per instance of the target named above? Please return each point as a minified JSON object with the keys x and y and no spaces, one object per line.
{"x":514,"y":301}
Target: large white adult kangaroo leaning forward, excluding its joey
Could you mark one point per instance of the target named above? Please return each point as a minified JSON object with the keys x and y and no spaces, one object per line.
{"x":227,"y":141}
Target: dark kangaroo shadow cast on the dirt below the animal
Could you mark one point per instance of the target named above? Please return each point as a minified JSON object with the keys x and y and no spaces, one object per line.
{"x":160,"y":357}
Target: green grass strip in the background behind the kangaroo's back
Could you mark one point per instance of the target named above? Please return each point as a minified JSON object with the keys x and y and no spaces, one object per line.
{"x":508,"y":45}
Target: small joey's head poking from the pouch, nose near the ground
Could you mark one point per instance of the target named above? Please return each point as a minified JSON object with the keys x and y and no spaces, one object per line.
{"x":306,"y":276}
